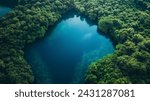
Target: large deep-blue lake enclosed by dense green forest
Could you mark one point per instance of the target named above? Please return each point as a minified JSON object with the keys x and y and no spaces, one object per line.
{"x":63,"y":56}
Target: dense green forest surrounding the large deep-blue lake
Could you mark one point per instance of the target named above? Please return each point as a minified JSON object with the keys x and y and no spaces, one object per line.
{"x":127,"y":22}
